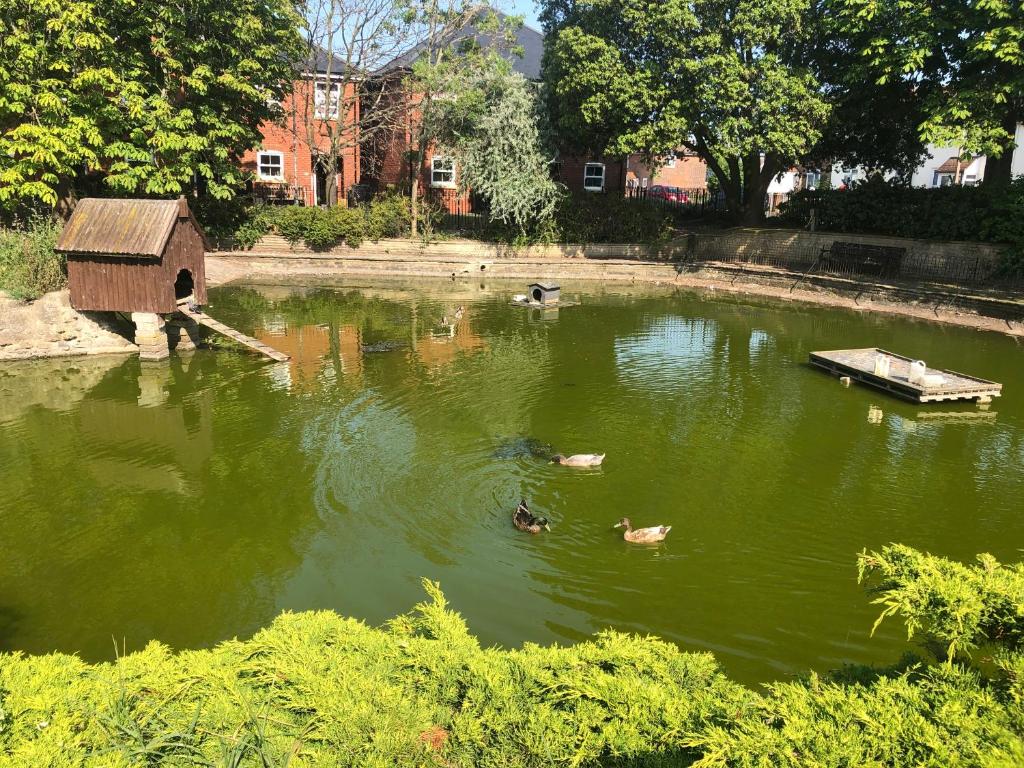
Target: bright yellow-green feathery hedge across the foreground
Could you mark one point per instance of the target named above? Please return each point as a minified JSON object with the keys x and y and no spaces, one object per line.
{"x":315,"y":690}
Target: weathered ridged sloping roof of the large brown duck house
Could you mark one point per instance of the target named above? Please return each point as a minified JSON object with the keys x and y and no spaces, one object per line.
{"x":119,"y":228}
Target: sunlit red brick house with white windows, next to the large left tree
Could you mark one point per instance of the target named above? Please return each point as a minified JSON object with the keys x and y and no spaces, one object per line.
{"x":289,"y":165}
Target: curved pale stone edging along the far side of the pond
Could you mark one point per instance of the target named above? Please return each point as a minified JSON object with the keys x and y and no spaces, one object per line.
{"x":926,"y":302}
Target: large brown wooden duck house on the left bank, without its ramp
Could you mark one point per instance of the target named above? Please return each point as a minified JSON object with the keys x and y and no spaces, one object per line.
{"x":134,"y":255}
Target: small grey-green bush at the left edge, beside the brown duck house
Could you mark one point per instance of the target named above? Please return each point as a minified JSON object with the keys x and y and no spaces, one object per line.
{"x":29,"y":266}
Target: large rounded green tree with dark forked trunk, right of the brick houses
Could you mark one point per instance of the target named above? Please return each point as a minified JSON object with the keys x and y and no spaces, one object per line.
{"x":731,"y":81}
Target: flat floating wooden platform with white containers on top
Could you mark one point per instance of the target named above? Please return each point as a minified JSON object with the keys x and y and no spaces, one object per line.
{"x":860,"y":366}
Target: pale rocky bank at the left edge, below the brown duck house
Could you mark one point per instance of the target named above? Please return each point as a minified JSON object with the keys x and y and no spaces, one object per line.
{"x":50,"y":327}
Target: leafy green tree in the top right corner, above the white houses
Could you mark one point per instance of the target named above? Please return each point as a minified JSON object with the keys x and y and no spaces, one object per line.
{"x":966,"y":58}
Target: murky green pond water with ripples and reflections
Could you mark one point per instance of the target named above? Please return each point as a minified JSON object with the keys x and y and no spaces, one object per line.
{"x":195,"y":500}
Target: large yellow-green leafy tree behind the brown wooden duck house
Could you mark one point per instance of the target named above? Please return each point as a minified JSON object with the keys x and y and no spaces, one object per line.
{"x":155,"y":99}
